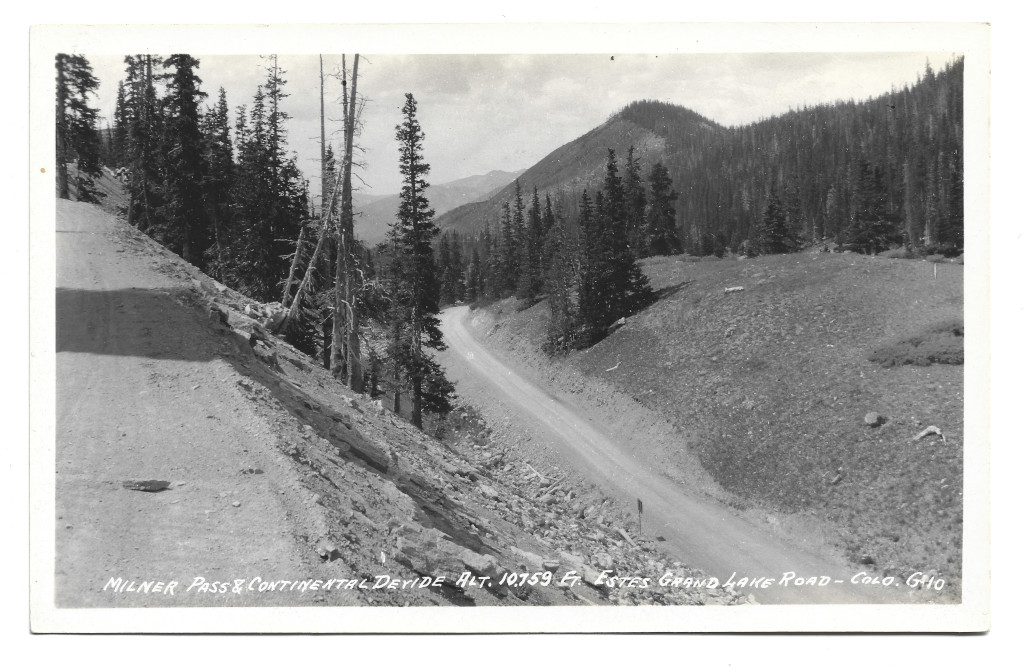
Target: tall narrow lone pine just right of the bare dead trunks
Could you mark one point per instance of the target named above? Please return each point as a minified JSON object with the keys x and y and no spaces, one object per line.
{"x":415,"y":288}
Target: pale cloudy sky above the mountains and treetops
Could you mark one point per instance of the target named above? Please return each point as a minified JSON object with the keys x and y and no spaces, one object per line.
{"x":492,"y":112}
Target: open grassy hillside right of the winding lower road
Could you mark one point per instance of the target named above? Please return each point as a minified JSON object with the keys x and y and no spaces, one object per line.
{"x":771,"y":387}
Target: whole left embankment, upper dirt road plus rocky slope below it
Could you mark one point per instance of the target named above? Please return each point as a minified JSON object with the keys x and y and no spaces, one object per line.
{"x":277,"y":475}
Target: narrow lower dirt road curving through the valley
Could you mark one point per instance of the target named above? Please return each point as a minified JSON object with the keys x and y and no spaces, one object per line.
{"x":697,"y":531}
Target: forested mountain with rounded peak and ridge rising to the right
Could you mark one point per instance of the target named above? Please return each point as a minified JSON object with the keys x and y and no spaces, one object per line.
{"x":907,"y":145}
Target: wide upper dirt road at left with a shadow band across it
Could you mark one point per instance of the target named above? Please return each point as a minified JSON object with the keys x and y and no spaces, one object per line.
{"x":146,"y":392}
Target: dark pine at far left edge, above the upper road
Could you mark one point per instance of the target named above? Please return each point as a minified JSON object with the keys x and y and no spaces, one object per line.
{"x":77,"y":136}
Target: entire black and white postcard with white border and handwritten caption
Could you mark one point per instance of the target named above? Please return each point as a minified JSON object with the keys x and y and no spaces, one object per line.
{"x":457,"y":333}
